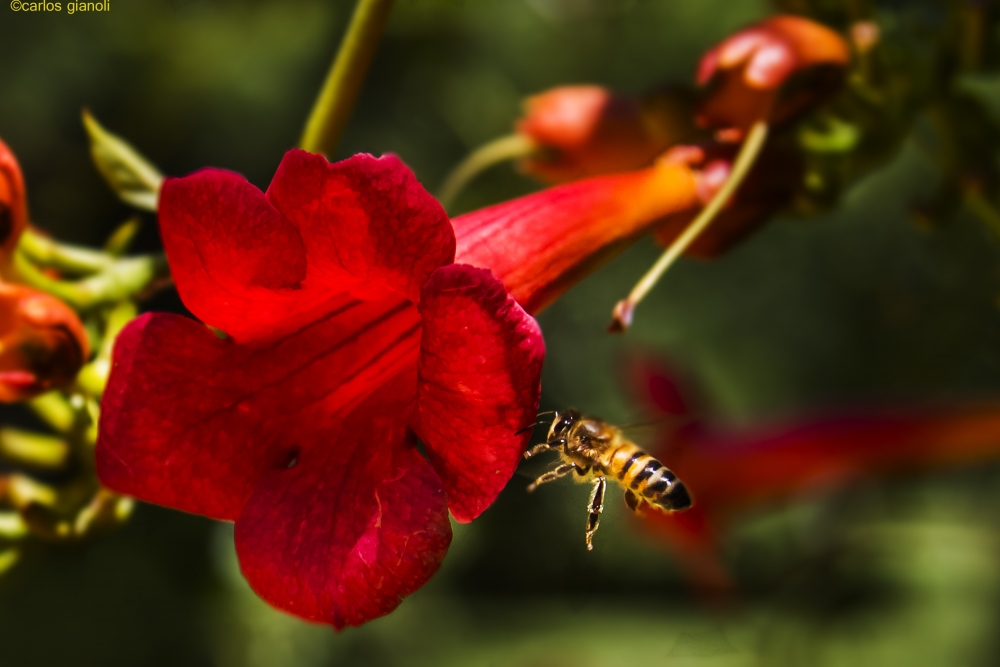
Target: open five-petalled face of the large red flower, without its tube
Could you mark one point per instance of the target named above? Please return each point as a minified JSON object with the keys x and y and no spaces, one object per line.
{"x":348,"y":329}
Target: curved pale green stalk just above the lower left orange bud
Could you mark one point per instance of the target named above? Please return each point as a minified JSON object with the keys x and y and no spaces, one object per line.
{"x":122,"y":279}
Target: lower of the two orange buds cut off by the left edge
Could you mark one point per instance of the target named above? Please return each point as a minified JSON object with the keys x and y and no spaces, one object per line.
{"x":42,"y":343}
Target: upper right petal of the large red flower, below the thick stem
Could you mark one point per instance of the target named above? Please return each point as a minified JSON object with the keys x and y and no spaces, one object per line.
{"x":369,"y":216}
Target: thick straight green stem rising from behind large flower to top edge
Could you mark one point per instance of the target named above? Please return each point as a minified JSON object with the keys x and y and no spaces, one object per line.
{"x":336,"y":100}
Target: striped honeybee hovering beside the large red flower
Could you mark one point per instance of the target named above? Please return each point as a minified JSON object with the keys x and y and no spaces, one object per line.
{"x":596,"y":450}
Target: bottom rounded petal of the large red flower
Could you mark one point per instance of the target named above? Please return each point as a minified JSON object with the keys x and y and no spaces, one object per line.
{"x":354,"y":525}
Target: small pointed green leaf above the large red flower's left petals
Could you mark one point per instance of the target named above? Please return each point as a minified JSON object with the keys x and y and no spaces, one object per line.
{"x":133,"y":178}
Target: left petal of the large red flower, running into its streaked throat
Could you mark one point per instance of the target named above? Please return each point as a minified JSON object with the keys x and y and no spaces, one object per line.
{"x":191,"y":421}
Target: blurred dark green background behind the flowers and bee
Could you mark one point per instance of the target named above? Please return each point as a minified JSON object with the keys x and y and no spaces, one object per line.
{"x":847,"y":309}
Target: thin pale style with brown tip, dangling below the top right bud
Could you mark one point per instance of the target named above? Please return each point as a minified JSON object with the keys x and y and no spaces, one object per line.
{"x":622,"y":316}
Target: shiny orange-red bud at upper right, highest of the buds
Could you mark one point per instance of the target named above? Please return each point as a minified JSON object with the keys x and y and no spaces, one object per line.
{"x":773,"y":70}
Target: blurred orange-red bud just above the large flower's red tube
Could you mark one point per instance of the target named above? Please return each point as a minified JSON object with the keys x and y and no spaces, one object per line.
{"x":584,"y":131}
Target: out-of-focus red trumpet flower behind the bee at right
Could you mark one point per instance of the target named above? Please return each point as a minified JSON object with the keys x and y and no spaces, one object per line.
{"x":730,"y":472}
